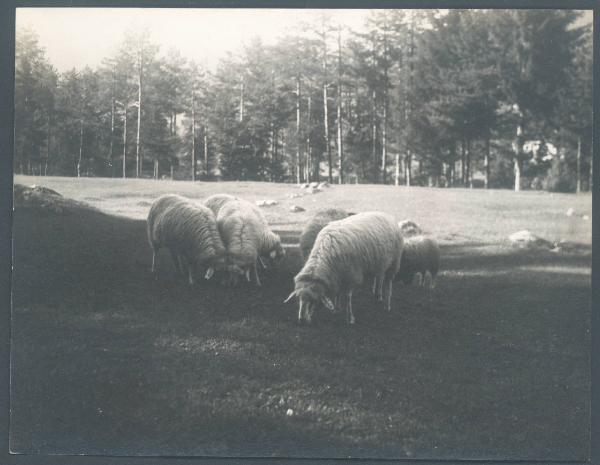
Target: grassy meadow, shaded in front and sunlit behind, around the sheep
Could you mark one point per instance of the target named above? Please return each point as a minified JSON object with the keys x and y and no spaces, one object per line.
{"x":493,"y":363}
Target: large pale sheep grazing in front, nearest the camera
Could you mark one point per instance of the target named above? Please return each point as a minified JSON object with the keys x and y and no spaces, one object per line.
{"x":344,"y":252}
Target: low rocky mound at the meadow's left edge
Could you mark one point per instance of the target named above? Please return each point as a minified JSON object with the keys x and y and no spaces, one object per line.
{"x":46,"y":199}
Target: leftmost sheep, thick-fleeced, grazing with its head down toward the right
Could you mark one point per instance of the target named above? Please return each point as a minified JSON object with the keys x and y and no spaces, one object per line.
{"x":190,"y":233}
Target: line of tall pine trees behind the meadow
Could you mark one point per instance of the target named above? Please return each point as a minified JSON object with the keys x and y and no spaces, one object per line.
{"x":464,"y":98}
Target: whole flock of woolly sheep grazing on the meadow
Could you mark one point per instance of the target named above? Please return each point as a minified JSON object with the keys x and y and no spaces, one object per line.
{"x":340,"y":250}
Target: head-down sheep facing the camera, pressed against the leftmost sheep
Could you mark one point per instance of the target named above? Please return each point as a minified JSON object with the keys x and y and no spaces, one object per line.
{"x":241,"y":230}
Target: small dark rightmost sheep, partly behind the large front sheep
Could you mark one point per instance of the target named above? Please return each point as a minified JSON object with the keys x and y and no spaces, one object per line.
{"x":421,"y":255}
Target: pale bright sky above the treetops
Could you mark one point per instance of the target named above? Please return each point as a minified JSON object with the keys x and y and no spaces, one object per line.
{"x":75,"y":37}
